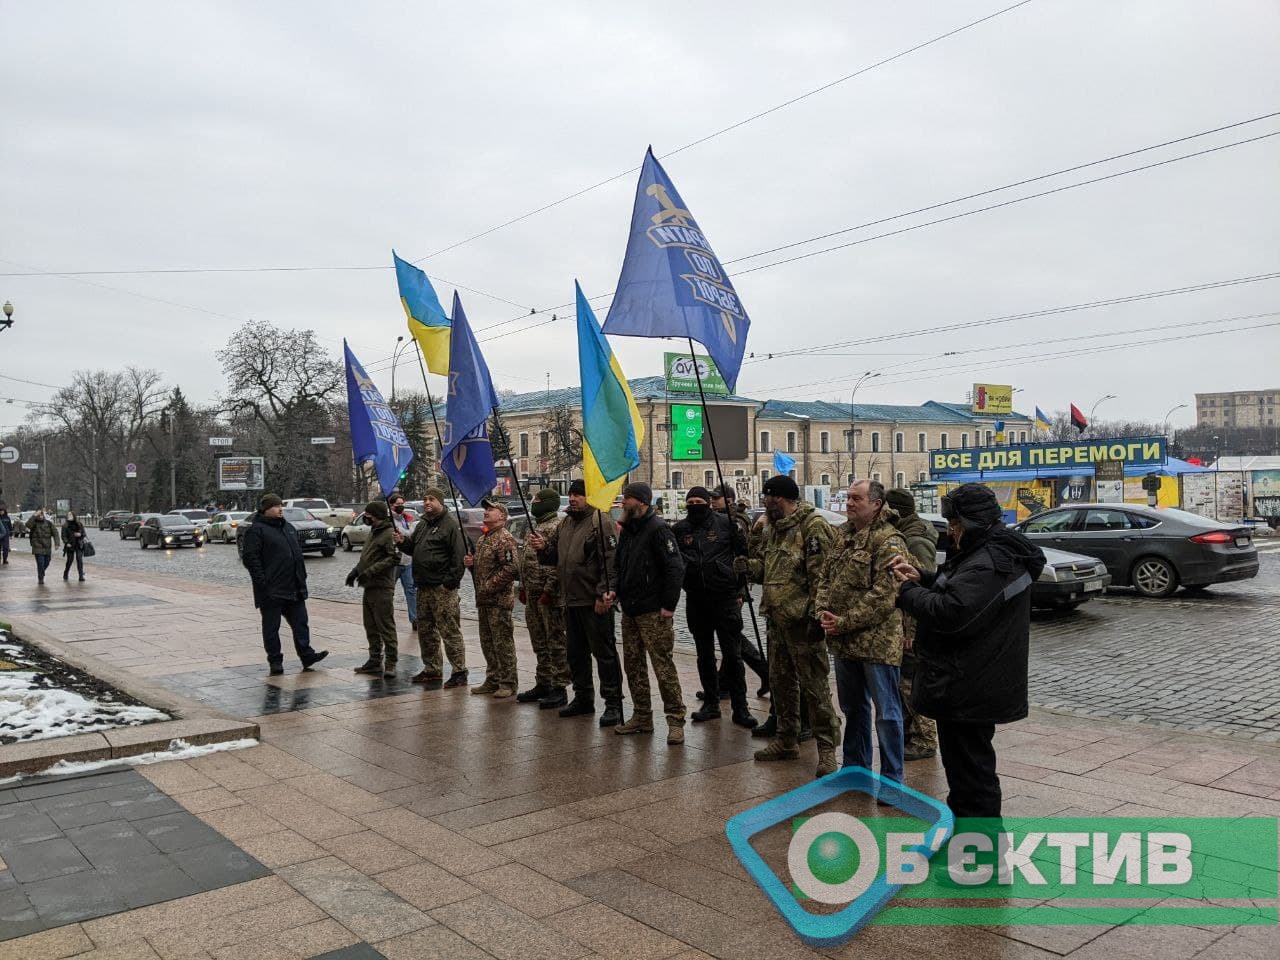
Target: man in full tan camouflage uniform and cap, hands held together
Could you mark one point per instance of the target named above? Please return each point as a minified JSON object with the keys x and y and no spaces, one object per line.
{"x":495,"y":568}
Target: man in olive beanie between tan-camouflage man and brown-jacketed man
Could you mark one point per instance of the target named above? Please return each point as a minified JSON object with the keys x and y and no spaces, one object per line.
{"x":540,"y":592}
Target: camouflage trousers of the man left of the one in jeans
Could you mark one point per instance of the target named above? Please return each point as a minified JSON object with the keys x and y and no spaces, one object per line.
{"x":799,"y":668}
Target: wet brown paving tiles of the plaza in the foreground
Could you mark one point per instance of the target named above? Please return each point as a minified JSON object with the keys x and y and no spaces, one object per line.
{"x":403,"y":822}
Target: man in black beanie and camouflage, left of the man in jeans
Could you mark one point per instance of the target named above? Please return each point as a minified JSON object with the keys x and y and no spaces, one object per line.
{"x":788,"y":557}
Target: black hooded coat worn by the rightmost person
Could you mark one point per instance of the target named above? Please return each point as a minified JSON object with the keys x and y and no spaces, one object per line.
{"x":973,"y":633}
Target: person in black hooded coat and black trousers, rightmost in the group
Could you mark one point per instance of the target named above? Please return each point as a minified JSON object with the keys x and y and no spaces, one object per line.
{"x":972,"y":642}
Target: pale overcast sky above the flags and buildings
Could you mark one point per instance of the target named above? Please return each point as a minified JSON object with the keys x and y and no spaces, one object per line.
{"x":158,"y":136}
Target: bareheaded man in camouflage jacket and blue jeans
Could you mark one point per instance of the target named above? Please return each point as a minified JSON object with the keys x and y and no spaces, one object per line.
{"x":857,"y":607}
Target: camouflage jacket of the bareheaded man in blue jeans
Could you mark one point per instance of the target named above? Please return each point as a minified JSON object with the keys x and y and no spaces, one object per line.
{"x":861,"y":589}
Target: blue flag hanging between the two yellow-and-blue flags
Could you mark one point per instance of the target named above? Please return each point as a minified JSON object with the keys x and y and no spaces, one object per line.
{"x":467,"y":458}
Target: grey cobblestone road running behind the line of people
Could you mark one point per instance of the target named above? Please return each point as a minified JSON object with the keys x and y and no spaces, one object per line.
{"x":1205,"y":662}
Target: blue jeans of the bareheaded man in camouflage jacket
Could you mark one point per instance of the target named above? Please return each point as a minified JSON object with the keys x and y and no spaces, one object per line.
{"x":860,"y":685}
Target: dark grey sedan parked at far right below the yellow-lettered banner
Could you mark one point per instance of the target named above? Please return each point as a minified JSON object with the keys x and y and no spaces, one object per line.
{"x":1153,"y":550}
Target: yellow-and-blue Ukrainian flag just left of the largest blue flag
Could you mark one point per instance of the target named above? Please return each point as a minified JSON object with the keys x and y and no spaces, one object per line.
{"x":612,"y":431}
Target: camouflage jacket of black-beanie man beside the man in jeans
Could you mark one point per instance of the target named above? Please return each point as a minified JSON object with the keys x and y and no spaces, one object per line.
{"x":787,"y":559}
